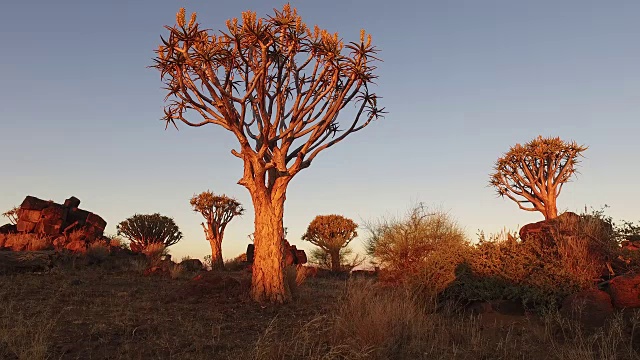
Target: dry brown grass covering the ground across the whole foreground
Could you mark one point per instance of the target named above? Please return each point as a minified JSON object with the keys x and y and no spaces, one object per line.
{"x":99,"y":314}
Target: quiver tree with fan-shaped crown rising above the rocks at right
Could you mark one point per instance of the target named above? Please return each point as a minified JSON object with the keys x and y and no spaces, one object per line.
{"x":533,"y":174}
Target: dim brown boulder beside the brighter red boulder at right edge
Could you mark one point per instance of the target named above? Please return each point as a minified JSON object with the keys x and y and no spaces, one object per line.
{"x":591,"y":307}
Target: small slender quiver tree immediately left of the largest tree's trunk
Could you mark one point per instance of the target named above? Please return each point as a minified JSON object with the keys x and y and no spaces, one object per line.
{"x":217,"y":210}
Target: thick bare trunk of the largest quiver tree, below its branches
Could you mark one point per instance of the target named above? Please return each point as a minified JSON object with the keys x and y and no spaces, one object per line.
{"x":268,"y":283}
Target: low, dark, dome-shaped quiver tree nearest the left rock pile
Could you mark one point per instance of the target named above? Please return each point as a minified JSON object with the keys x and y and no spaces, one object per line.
{"x":145,"y":230}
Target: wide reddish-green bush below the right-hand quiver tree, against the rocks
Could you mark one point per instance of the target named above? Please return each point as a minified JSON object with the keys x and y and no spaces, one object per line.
{"x":541,"y":271}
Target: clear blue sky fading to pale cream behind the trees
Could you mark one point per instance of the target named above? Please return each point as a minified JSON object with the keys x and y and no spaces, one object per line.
{"x":462,"y":81}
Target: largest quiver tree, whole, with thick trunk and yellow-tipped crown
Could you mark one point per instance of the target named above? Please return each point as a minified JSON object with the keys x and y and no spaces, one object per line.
{"x":279,"y":87}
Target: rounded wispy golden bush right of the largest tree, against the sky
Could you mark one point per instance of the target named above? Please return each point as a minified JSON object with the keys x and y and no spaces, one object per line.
{"x":422,"y":249}
